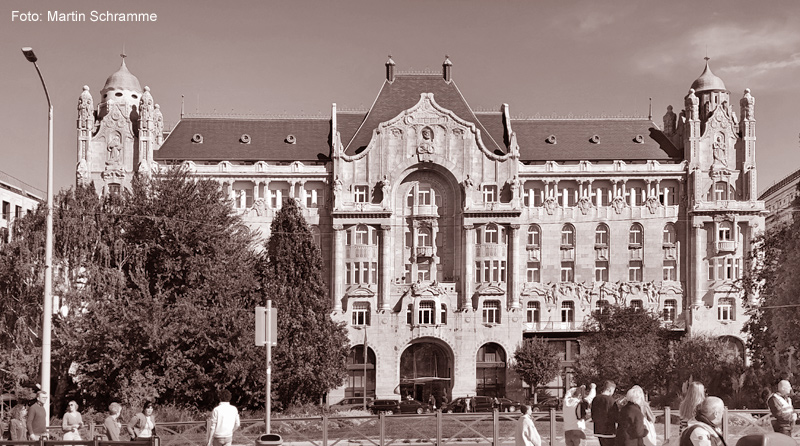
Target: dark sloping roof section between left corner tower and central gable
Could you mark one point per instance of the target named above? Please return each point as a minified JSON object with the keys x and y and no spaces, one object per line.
{"x":223,"y":139}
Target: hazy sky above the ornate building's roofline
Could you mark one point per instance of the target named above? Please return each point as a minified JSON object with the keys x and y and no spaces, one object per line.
{"x":296,"y":57}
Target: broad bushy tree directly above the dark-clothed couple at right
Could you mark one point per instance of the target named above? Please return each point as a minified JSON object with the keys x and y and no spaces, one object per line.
{"x":624,"y":344}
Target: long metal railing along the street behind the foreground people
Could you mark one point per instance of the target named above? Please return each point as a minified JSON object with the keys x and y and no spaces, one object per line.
{"x":436,"y":429}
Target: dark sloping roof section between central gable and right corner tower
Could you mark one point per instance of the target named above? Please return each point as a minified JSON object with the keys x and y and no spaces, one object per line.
{"x":602,"y":139}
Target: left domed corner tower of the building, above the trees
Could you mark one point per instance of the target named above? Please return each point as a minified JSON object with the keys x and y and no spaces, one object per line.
{"x":117,"y":139}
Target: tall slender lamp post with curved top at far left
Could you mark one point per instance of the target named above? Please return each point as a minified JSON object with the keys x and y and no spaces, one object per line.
{"x":48,"y":251}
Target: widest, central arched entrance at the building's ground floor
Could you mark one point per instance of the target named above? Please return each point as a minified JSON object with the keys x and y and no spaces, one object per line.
{"x":426,"y":369}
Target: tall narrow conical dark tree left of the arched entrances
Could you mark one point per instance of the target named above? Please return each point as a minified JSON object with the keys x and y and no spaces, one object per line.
{"x":312,"y":350}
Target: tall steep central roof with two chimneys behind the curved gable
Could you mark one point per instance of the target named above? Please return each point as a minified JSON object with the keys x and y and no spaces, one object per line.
{"x":402,"y":94}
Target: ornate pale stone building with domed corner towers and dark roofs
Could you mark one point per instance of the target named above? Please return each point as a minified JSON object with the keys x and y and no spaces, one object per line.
{"x":450,"y":235}
